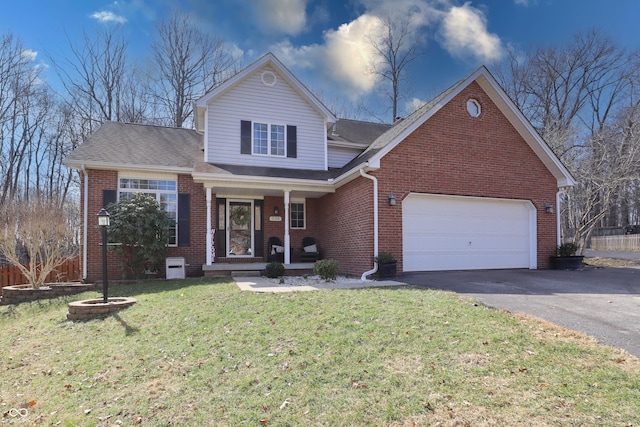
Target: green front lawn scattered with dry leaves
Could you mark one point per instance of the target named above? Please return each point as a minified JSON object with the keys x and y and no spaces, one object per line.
{"x":202,"y":353}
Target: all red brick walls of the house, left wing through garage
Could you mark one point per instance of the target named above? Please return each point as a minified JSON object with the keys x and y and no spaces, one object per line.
{"x":452,"y":153}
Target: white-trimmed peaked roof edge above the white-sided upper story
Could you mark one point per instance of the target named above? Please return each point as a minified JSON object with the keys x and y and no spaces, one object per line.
{"x":268,"y":59}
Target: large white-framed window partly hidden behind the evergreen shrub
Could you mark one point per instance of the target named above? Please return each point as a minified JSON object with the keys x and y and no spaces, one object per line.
{"x":164,"y":191}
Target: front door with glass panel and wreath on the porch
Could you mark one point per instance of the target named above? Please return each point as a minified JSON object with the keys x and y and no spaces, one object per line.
{"x":240,"y":229}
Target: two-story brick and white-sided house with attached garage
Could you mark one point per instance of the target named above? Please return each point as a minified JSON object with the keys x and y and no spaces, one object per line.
{"x":465,"y":182}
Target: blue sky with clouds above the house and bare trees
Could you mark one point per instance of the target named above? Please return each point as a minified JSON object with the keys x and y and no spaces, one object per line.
{"x":324,"y":42}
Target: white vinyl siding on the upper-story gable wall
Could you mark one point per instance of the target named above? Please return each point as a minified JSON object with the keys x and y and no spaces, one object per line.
{"x":254,"y":101}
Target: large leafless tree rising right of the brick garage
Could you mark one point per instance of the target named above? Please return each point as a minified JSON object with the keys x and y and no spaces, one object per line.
{"x":576,"y":97}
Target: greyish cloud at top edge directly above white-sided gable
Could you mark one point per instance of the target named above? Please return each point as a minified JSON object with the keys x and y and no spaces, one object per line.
{"x":281,"y":16}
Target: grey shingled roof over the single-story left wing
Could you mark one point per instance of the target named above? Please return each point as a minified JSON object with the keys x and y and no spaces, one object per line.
{"x":126,"y":145}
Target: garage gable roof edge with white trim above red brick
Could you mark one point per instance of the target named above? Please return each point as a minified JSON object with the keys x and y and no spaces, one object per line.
{"x":402,"y":129}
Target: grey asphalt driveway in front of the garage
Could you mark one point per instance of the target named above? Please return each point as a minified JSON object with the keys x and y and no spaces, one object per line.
{"x":603,"y":303}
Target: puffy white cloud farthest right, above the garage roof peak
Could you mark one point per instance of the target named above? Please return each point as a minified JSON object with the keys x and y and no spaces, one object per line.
{"x":464,"y":32}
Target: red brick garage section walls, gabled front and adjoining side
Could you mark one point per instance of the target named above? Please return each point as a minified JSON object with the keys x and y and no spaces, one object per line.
{"x":452,"y":153}
